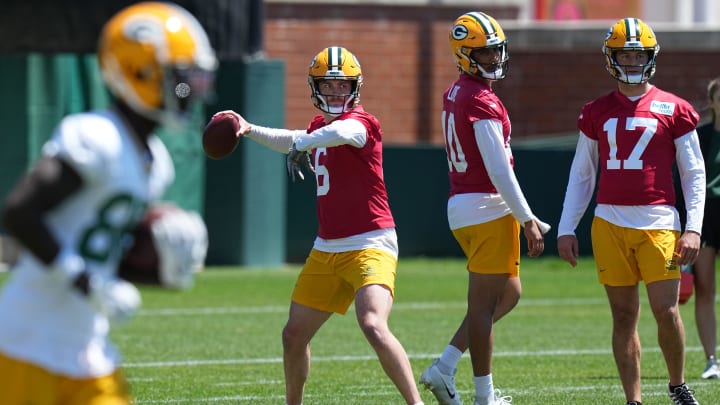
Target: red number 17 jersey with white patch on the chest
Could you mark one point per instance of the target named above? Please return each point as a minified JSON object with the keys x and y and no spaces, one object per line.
{"x":636,"y":144}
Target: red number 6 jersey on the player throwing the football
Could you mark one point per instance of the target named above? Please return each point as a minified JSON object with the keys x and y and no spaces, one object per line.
{"x":351,"y":194}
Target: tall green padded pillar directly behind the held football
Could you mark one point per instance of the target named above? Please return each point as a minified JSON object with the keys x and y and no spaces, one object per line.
{"x":245,"y":192}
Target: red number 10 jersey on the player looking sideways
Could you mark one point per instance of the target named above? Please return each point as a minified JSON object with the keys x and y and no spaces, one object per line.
{"x":466,"y":101}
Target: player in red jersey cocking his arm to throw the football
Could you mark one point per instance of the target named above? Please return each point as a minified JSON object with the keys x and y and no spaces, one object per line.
{"x":354,"y":256}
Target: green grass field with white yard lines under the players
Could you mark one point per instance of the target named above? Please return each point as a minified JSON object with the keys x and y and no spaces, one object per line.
{"x":220,"y":342}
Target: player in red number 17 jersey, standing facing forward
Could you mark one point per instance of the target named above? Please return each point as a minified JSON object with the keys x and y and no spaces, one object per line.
{"x":633,"y":136}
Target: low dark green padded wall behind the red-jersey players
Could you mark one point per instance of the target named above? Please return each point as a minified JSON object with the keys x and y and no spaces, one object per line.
{"x":416,"y":178}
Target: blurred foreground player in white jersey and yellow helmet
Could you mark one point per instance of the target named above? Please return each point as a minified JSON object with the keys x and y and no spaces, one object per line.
{"x":74,"y":210}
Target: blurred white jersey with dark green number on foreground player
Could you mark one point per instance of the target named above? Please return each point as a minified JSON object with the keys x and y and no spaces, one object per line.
{"x":44,"y":321}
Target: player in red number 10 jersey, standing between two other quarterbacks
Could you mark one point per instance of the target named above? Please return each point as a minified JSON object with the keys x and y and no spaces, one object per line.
{"x":486,"y":207}
